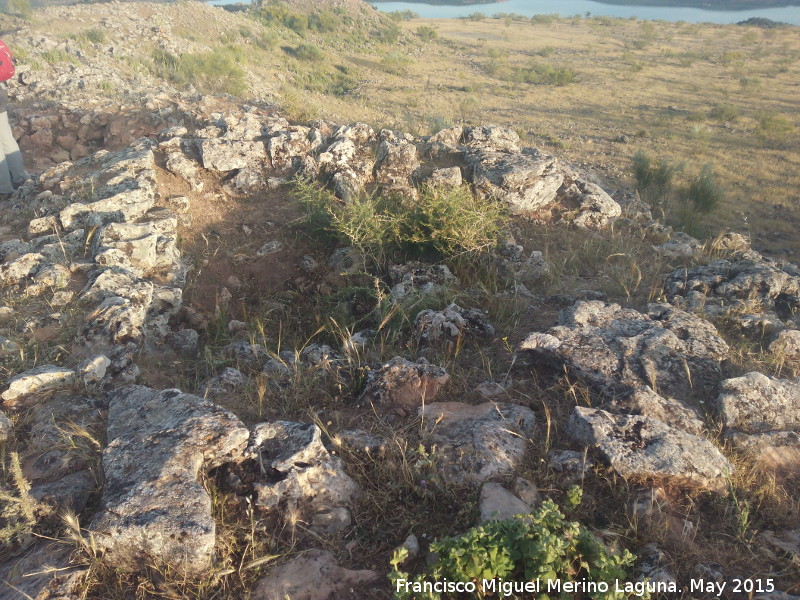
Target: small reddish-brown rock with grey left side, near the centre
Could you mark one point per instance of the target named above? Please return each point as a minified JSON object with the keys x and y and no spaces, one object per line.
{"x":403,"y":382}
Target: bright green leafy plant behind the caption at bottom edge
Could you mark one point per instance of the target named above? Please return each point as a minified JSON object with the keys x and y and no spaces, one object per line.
{"x":540,"y":546}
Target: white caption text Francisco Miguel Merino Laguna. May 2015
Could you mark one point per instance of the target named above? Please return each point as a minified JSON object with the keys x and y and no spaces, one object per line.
{"x":632,"y":588}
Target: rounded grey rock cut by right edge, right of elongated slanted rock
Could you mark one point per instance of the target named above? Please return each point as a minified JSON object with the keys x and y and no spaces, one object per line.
{"x":755,"y":403}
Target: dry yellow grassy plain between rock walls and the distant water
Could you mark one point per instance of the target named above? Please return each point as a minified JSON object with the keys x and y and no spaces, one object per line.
{"x":593,"y":90}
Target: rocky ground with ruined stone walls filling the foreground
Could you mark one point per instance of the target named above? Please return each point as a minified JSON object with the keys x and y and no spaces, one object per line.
{"x":203,"y":399}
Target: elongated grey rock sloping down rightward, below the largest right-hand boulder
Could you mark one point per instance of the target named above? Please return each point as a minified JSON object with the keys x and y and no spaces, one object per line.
{"x":644,"y":448}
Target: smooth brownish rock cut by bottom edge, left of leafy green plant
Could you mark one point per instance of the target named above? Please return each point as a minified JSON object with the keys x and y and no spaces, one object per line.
{"x":315,"y":575}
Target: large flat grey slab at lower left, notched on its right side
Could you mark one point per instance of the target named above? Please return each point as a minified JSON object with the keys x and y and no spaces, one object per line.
{"x":154,"y":510}
